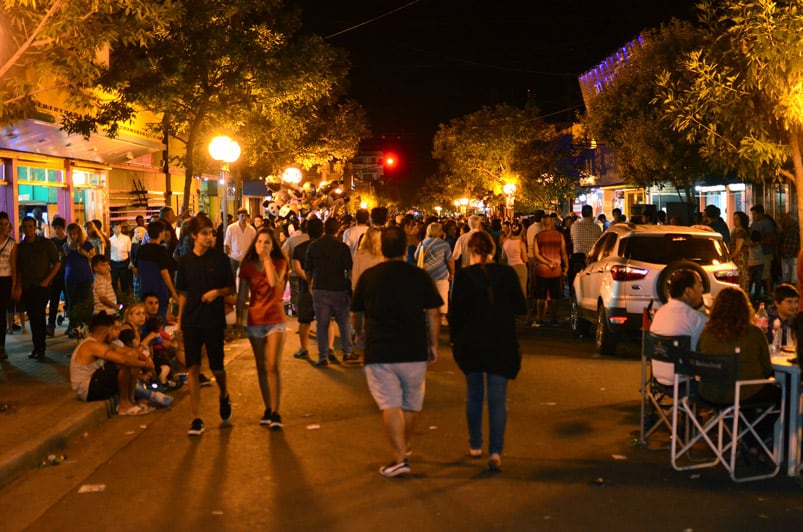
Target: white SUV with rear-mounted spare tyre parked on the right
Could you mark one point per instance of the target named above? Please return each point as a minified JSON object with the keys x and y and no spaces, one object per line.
{"x":628,"y":268}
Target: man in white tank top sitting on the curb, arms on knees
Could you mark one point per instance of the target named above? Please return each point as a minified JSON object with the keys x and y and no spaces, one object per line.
{"x":99,"y":369}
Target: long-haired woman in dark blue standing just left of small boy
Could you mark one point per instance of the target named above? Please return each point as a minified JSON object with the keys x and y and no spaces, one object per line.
{"x":78,"y":277}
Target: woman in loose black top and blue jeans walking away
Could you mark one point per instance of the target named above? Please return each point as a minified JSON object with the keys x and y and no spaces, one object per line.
{"x":486,"y":297}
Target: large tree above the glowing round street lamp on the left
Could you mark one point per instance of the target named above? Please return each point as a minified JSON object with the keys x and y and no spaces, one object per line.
{"x":241,"y":67}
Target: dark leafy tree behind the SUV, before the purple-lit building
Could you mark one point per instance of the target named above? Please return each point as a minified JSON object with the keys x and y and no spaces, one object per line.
{"x":625,"y":117}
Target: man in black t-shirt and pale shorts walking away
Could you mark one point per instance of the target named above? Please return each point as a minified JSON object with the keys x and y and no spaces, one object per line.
{"x":399,"y":344}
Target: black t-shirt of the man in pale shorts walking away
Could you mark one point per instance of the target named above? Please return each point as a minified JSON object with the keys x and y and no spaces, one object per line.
{"x":395,"y":296}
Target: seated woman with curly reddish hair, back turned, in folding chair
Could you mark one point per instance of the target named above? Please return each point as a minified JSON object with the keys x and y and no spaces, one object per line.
{"x":730,"y":329}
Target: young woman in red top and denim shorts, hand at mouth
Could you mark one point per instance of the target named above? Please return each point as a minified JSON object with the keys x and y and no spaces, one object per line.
{"x":263,"y":273}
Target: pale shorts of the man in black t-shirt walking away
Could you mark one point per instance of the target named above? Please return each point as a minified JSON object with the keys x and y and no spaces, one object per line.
{"x":397,"y":385}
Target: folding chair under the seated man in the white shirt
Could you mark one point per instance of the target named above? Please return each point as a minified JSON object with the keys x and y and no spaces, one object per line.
{"x":657,"y":398}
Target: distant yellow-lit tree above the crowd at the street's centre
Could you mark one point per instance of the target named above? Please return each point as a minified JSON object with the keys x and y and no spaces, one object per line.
{"x":481,"y":152}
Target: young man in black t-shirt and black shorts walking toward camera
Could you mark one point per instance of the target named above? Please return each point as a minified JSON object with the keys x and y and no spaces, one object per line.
{"x":204,"y":279}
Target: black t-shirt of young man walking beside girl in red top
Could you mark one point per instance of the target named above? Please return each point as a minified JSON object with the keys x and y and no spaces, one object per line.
{"x":197,"y":274}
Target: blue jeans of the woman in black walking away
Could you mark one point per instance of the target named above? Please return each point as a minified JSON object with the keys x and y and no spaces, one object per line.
{"x":497,"y":409}
